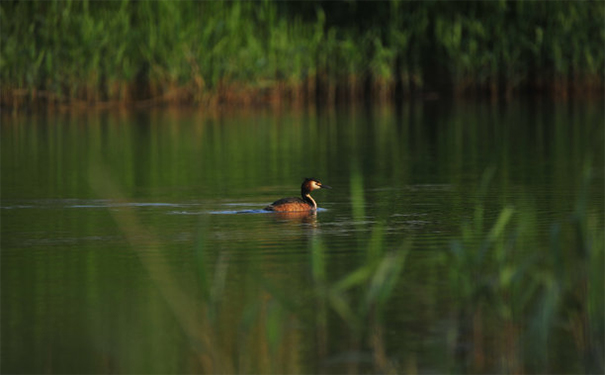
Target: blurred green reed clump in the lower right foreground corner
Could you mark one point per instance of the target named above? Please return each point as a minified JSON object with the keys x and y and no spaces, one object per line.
{"x":513,"y":292}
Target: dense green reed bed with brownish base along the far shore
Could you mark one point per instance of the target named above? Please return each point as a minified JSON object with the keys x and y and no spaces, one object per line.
{"x":211,"y":52}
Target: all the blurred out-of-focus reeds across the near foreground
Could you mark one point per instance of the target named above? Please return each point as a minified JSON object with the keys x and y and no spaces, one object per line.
{"x":511,"y":296}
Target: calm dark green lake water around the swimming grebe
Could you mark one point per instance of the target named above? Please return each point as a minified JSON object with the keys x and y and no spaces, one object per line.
{"x":124,"y":249}
